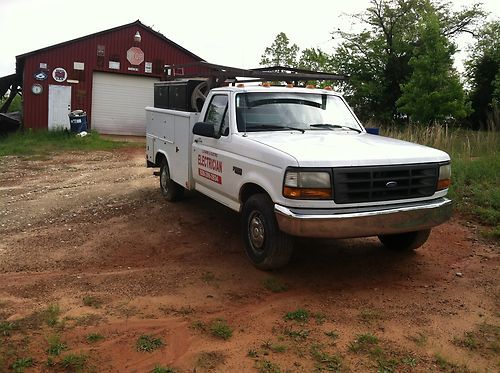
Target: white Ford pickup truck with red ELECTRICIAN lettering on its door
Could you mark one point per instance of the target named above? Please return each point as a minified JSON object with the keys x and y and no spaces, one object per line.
{"x":297,"y":162}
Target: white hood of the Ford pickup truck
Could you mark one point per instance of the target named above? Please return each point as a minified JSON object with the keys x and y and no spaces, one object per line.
{"x":346,"y":149}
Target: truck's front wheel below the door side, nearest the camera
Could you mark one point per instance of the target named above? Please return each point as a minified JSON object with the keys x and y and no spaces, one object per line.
{"x":266,"y":246}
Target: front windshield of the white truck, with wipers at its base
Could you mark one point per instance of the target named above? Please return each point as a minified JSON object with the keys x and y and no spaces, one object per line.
{"x":274,"y":111}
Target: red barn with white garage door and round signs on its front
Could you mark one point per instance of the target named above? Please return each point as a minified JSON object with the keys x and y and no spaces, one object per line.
{"x":108,"y":74}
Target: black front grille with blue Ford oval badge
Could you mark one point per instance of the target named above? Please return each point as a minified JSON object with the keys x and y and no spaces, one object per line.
{"x":383,"y":183}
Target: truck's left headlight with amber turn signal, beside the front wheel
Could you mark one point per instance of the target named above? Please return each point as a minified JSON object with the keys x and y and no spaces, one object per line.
{"x":307,"y":185}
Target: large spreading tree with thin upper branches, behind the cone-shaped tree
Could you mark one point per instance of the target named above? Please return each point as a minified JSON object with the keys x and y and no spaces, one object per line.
{"x":377,"y":58}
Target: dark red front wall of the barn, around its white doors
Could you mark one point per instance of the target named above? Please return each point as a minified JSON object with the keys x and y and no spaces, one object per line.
{"x":116,"y":43}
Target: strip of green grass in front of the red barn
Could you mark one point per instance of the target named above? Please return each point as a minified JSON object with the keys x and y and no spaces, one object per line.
{"x":45,"y":142}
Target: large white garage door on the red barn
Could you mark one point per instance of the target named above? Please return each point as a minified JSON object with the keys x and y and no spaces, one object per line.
{"x":118,"y":103}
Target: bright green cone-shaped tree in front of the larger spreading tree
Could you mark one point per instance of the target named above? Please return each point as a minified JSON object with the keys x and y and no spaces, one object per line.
{"x":433,"y":92}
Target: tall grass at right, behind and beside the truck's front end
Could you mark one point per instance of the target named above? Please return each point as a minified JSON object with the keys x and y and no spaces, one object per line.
{"x":475,"y":167}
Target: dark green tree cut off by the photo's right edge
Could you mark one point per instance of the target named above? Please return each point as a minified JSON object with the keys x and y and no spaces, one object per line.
{"x":483,"y":76}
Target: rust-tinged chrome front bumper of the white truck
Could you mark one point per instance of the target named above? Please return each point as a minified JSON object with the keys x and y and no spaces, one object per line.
{"x":363,"y":222}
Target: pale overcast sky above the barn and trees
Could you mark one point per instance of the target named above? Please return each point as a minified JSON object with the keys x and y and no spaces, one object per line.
{"x":227,"y":32}
